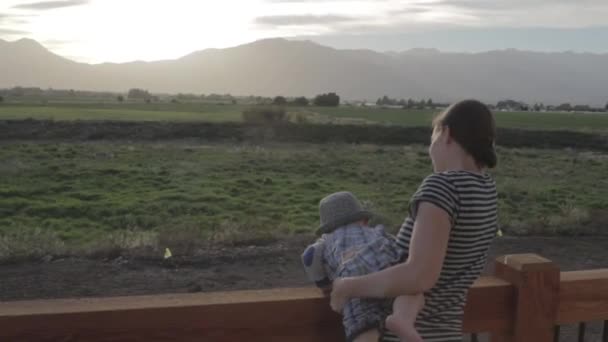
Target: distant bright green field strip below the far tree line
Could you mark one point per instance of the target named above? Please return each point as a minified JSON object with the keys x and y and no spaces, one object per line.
{"x":213,"y":113}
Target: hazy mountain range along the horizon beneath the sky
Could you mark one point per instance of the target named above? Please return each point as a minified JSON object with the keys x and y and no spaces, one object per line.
{"x":302,"y":68}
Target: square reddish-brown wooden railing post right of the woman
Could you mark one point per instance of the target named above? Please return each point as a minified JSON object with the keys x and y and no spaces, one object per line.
{"x":536,"y":281}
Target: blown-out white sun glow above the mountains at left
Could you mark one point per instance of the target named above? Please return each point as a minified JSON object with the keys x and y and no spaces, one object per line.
{"x":122,"y":31}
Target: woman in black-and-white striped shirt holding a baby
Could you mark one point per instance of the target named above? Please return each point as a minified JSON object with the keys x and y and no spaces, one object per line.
{"x":452,"y":222}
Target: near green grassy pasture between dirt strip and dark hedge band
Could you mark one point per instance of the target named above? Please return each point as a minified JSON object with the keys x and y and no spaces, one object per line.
{"x":66,"y":196}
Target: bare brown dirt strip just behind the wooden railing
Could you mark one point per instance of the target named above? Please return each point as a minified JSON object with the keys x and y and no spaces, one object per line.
{"x":252,"y":267}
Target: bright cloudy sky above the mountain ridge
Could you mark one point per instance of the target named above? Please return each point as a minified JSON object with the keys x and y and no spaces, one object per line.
{"x":96,"y":31}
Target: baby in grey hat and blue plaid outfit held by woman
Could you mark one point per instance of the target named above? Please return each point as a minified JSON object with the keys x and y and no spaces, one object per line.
{"x":349,"y":247}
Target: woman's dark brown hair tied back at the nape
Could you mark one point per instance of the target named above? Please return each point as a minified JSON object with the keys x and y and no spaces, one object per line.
{"x":471,"y":124}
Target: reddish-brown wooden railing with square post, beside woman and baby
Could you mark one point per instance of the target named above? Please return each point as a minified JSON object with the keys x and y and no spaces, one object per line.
{"x":523,"y":302}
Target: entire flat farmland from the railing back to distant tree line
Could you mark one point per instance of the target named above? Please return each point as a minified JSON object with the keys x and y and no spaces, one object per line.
{"x":90,"y":200}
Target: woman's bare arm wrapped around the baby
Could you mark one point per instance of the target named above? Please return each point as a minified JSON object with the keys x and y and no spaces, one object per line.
{"x":417,"y":274}
